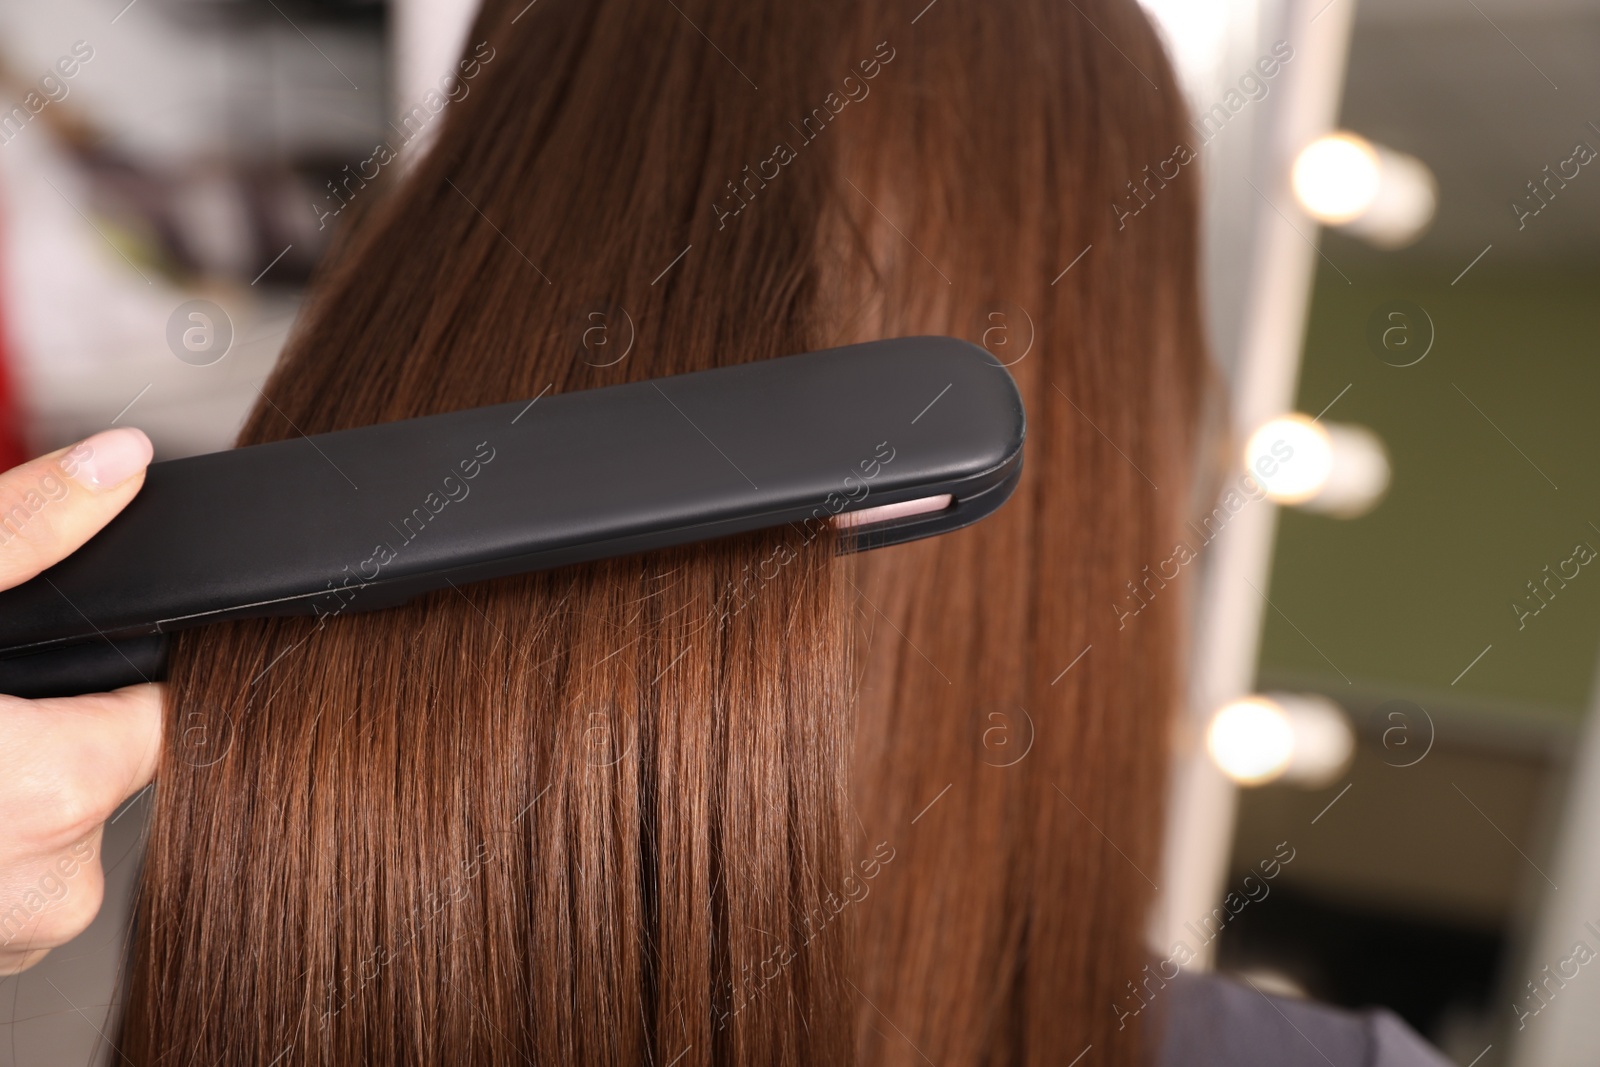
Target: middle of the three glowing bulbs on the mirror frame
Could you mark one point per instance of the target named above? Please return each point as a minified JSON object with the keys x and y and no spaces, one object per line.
{"x":1329,"y":468}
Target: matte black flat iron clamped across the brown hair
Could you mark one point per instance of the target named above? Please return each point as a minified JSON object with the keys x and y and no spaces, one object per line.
{"x":890,"y":441}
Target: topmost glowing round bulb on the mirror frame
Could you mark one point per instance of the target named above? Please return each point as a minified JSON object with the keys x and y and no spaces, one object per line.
{"x":1369,"y":191}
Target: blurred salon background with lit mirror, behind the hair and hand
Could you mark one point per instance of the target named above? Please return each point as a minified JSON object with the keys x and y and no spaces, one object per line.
{"x":1388,"y":778}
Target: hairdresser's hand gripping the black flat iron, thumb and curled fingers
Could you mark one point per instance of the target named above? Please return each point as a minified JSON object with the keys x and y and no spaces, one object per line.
{"x":65,"y":764}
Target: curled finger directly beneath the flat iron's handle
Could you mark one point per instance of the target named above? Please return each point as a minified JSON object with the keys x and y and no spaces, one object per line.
{"x":70,"y":762}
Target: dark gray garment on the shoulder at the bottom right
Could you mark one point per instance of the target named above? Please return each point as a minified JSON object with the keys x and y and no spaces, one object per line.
{"x":1215,"y":1021}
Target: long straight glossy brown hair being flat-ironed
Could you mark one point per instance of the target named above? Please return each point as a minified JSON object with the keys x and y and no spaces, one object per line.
{"x":748,"y":802}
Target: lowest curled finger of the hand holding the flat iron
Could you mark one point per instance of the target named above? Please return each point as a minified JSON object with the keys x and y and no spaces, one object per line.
{"x":50,"y":901}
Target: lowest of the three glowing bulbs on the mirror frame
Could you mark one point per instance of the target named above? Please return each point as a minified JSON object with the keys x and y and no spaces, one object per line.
{"x":1300,"y":738}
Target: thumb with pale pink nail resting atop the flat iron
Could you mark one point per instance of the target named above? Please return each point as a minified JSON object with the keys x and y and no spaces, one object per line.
{"x":49,"y":508}
